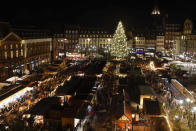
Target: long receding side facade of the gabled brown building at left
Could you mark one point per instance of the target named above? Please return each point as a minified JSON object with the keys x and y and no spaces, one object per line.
{"x":37,"y":52}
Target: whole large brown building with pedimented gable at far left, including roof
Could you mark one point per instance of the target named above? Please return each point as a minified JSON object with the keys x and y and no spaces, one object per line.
{"x":22,"y":54}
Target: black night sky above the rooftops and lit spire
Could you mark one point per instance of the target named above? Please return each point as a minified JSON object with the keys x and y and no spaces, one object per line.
{"x":97,"y":13}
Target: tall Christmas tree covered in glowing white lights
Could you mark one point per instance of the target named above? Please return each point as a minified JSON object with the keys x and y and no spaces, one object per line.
{"x":119,"y":43}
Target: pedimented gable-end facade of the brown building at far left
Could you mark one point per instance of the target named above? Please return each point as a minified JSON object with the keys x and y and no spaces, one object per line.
{"x":11,"y":56}
